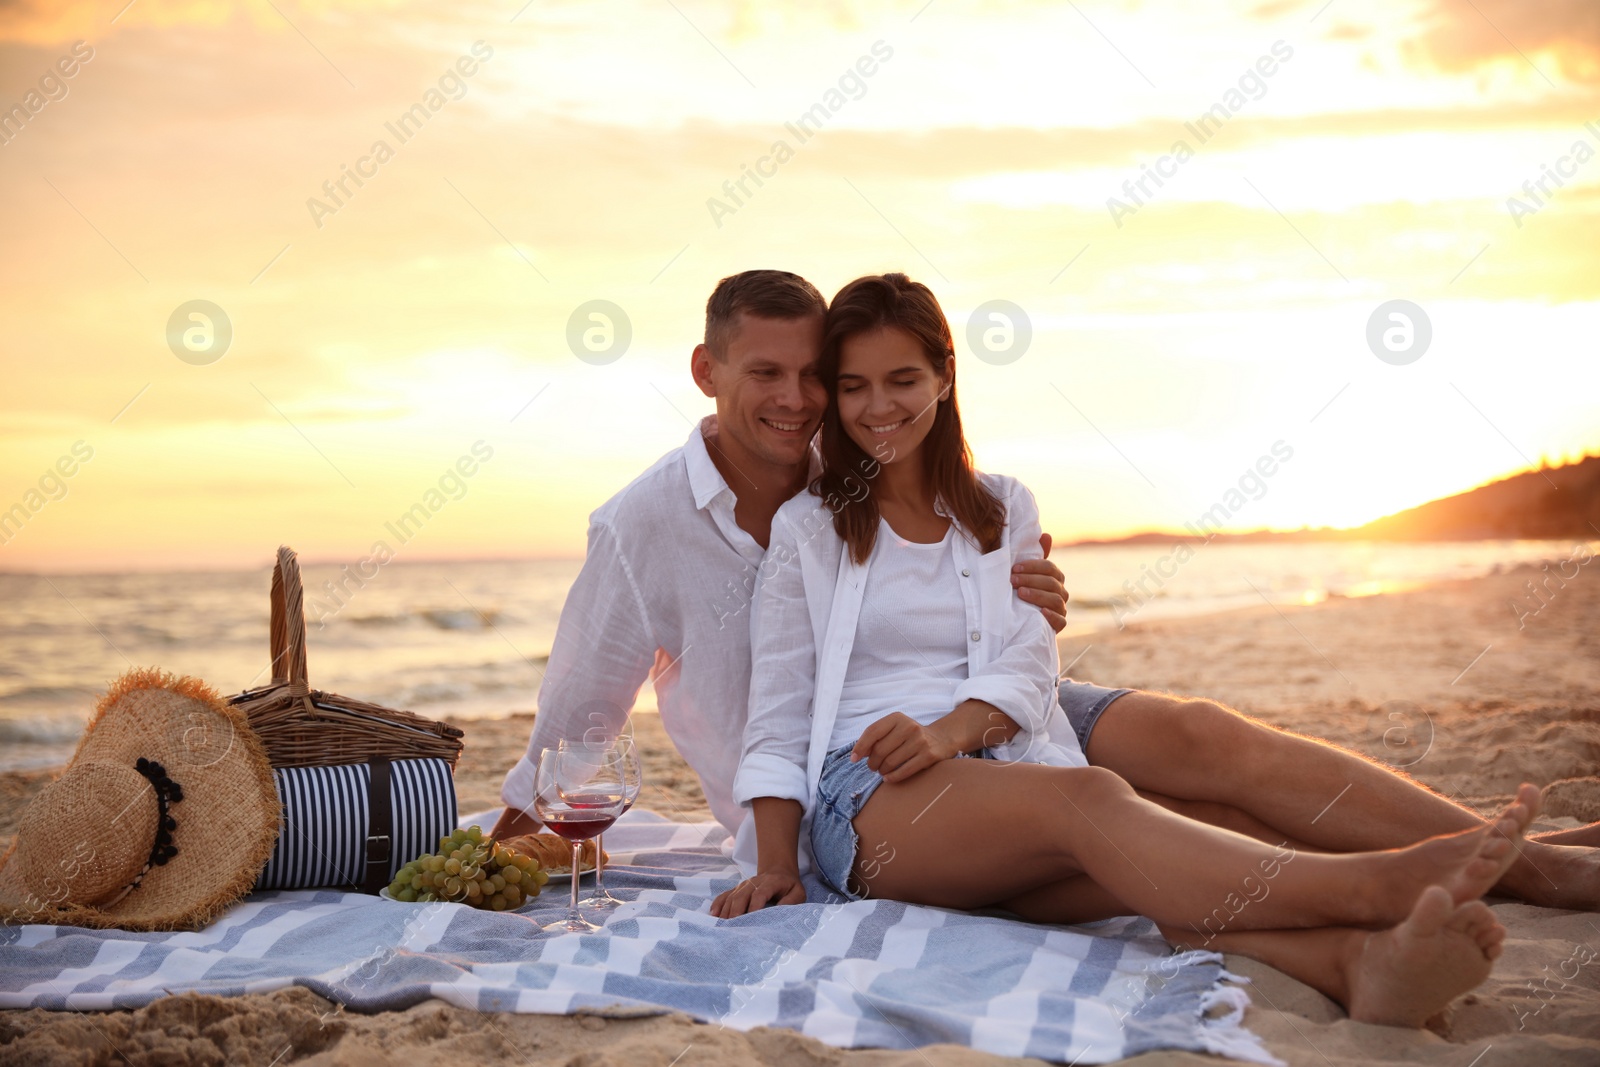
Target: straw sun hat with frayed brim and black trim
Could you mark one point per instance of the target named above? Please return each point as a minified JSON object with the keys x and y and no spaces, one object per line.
{"x":164,"y":818}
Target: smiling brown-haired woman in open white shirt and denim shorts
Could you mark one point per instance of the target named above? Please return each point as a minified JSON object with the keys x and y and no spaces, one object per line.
{"x":887,"y":645}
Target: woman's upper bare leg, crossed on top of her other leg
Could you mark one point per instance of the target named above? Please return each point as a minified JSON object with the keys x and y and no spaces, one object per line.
{"x":974,"y":834}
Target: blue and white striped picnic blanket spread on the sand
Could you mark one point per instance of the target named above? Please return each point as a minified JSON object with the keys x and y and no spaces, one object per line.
{"x":855,"y":975}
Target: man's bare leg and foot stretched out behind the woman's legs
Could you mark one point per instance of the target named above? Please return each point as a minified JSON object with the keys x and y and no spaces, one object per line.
{"x":1300,"y":788}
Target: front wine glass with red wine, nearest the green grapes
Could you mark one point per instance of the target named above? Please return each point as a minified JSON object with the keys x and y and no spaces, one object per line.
{"x":578,"y":791}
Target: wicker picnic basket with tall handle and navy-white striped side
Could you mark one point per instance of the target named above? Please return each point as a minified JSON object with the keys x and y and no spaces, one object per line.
{"x":362,"y":788}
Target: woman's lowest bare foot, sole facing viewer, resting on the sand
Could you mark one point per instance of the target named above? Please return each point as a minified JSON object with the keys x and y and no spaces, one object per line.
{"x":1407,"y":975}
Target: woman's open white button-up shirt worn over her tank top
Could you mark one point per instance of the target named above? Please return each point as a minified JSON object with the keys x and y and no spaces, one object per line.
{"x":804,"y":626}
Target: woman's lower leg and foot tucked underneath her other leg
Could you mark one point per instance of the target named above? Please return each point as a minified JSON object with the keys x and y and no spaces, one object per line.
{"x":1398,"y":977}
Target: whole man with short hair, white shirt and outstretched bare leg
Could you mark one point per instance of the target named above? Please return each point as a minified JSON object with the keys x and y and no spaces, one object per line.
{"x":666,"y":589}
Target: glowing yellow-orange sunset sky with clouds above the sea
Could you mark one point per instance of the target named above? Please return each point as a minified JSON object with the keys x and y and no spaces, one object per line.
{"x":383,"y":332}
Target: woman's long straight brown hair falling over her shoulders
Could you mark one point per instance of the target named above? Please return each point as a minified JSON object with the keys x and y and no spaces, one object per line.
{"x":846,"y":484}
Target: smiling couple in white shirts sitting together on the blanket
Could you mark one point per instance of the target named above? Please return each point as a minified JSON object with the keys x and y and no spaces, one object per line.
{"x":887,"y":641}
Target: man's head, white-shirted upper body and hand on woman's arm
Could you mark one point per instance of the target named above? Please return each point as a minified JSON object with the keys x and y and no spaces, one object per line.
{"x":674,"y":557}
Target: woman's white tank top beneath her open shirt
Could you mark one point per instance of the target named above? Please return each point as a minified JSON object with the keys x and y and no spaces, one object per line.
{"x":911,"y":642}
